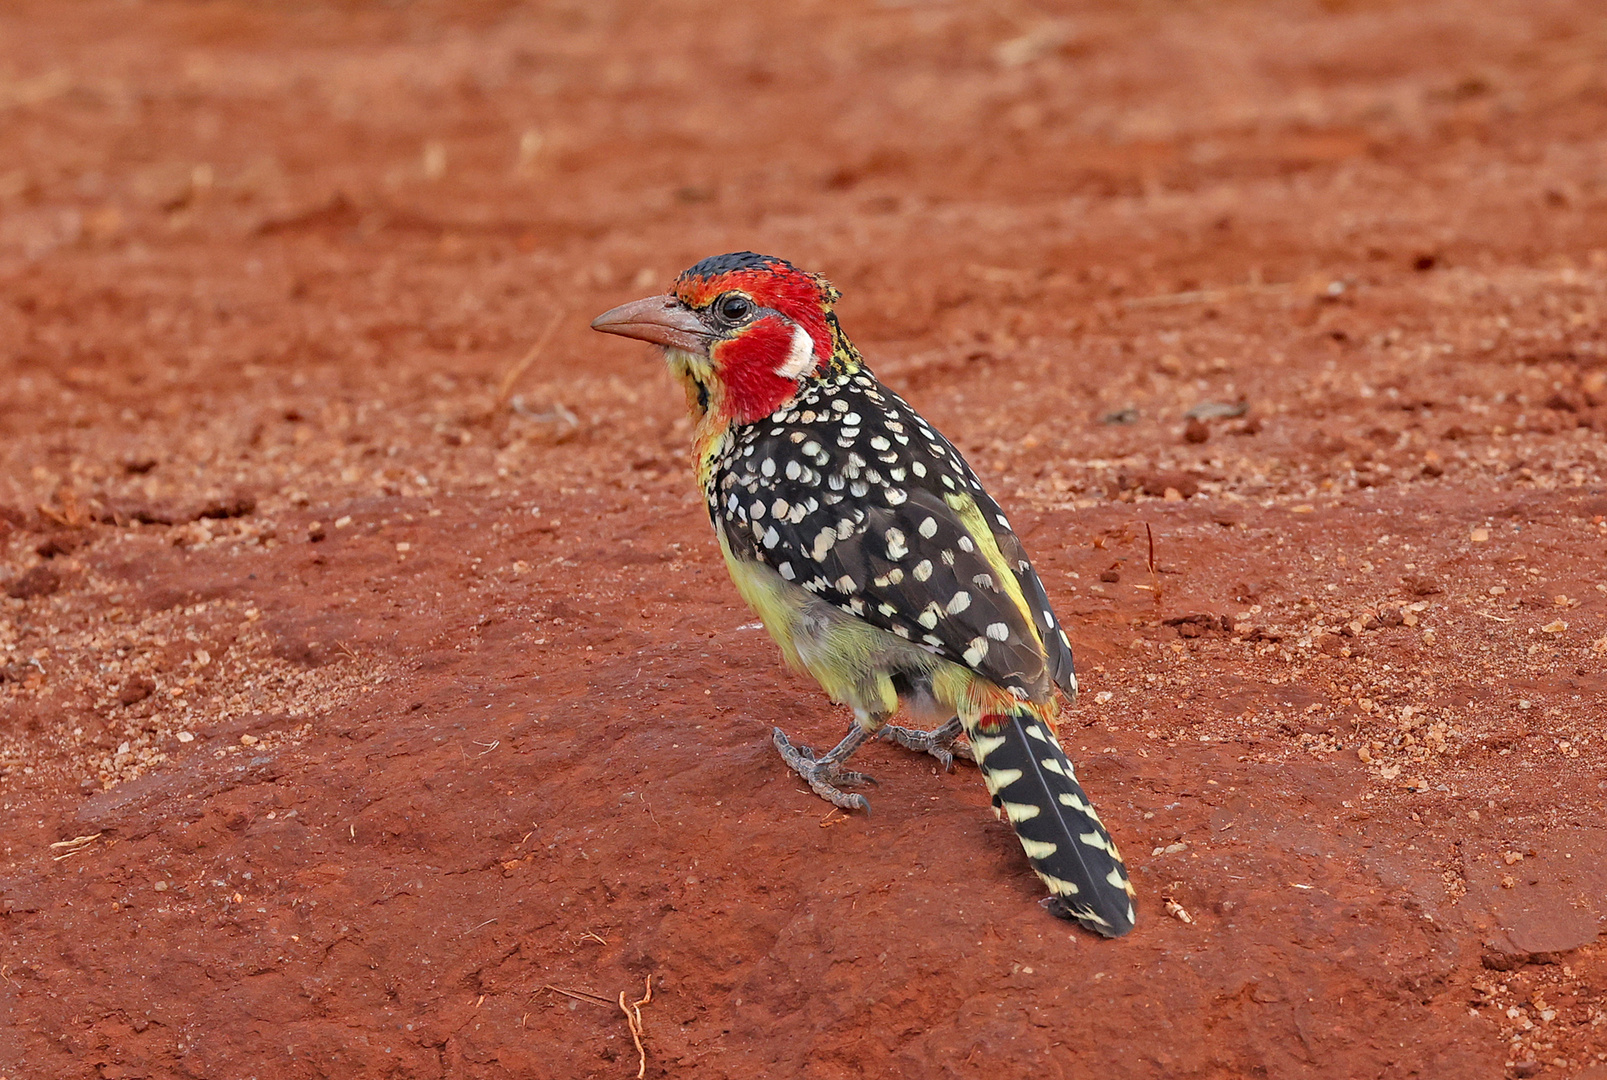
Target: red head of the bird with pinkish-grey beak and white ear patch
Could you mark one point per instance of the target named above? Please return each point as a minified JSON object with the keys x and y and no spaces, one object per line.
{"x":743,"y":333}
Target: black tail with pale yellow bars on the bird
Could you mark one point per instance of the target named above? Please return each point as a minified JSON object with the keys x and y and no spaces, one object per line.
{"x":1071,"y":851}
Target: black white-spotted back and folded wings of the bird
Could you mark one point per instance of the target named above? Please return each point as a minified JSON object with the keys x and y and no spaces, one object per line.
{"x":843,"y":493}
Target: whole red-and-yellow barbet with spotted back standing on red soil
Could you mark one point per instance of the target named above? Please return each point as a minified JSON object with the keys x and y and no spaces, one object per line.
{"x":877,"y":562}
